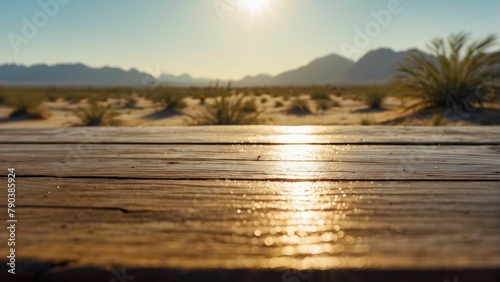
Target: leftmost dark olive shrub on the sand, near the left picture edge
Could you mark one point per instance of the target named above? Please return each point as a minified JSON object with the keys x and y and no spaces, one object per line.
{"x":28,"y":106}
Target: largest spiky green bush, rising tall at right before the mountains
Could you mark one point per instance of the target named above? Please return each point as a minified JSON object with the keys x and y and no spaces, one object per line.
{"x":455,"y":74}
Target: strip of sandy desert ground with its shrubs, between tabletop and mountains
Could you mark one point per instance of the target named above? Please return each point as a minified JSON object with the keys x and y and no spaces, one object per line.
{"x":386,"y":104}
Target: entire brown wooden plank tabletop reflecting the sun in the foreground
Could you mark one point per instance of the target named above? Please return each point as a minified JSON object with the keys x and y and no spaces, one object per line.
{"x":228,"y":201}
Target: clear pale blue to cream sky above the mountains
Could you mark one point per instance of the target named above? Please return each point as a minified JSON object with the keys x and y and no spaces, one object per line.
{"x":188,"y":36}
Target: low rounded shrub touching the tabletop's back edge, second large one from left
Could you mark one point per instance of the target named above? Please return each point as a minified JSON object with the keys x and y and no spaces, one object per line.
{"x":98,"y":114}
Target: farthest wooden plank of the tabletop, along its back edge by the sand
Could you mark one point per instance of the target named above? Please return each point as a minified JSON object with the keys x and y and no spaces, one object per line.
{"x":257,"y":134}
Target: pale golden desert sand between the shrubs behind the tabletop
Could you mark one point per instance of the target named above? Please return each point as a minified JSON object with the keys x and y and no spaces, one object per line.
{"x":347,"y":112}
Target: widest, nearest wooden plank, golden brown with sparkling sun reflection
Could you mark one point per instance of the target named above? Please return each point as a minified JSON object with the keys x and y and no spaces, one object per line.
{"x":260,"y":225}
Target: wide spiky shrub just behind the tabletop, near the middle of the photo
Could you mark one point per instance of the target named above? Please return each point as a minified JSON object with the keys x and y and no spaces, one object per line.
{"x":227,"y":110}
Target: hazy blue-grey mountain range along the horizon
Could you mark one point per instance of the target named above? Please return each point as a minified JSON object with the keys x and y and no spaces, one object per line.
{"x":376,"y":66}
